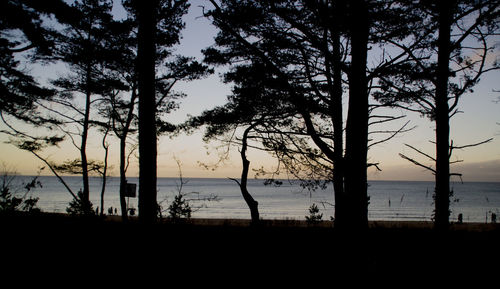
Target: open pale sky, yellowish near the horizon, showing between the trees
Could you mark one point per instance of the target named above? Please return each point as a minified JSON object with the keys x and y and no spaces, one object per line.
{"x":479,"y":121}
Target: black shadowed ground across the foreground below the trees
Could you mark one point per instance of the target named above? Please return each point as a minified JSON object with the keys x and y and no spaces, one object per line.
{"x":52,"y":247}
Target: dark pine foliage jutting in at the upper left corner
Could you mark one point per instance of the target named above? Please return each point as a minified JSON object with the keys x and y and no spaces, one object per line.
{"x":24,"y":32}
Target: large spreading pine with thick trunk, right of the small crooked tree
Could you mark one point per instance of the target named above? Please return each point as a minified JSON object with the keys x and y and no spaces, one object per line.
{"x":308,"y":50}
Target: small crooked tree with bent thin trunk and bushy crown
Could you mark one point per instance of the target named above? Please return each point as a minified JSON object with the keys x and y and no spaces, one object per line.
{"x":253,"y":109}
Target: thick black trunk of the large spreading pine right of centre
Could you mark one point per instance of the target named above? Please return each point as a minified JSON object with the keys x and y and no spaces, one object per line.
{"x":357,"y":121}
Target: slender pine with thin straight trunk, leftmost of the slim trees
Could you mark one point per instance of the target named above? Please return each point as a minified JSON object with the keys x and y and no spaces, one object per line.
{"x":82,"y":48}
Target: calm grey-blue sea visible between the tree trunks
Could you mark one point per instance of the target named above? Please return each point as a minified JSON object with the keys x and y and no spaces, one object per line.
{"x":389,"y":200}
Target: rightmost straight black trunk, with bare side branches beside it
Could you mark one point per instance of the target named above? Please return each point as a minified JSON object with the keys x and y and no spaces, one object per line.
{"x":442,"y":191}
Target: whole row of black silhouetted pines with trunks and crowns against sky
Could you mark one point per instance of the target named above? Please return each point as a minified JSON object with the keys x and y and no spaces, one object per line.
{"x":303,"y":87}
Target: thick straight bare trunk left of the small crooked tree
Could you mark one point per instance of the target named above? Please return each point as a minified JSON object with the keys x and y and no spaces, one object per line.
{"x":147,"y":111}
